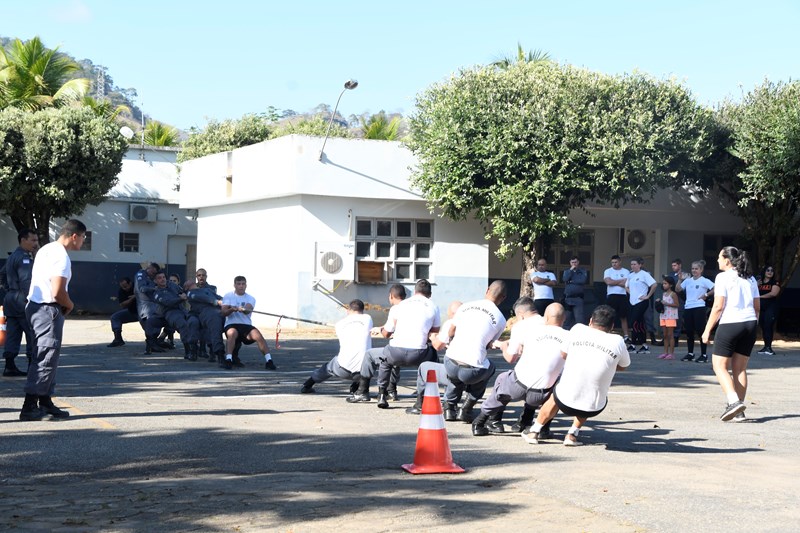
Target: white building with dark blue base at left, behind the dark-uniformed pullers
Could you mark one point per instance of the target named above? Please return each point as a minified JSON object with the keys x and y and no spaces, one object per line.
{"x":138,"y":222}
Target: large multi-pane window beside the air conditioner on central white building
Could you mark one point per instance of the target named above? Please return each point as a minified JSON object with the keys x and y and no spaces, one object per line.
{"x":405,"y":245}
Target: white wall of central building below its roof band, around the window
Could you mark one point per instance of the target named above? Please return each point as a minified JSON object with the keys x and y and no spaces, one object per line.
{"x":272,"y":243}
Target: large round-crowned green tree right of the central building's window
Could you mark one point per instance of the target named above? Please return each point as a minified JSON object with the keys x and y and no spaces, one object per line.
{"x":519,"y":148}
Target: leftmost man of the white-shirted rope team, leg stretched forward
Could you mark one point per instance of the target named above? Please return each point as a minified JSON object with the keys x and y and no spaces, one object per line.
{"x":353,"y":332}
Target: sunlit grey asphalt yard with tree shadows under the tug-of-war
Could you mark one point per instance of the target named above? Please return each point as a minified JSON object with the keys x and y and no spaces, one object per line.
{"x":157,"y":443}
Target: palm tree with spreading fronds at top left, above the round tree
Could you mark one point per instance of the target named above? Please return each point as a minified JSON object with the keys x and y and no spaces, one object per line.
{"x":34,"y":77}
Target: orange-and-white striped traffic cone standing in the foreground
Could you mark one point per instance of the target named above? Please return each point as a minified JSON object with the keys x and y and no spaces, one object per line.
{"x":432,"y":455}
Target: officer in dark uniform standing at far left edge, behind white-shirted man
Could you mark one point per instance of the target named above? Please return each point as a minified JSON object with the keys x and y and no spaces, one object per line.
{"x":17,"y":275}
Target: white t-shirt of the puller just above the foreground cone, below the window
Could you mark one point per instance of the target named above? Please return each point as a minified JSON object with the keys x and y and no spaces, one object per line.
{"x":410,"y":321}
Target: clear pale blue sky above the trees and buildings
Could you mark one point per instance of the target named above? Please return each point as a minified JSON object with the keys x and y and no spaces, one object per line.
{"x":190,"y":61}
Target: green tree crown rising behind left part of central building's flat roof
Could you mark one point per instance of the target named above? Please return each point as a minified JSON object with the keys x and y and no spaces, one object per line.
{"x":221,"y":136}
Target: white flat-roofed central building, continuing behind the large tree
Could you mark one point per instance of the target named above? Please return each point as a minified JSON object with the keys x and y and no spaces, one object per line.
{"x":281,"y":216}
